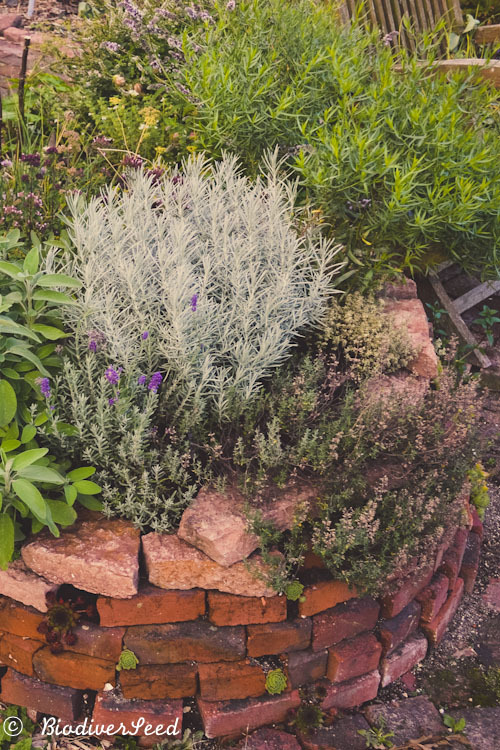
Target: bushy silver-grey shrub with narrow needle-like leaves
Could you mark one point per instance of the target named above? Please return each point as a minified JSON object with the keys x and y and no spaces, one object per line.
{"x":208,"y":263}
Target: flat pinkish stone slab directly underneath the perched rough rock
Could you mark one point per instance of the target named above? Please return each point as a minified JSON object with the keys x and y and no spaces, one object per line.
{"x":171,"y":563}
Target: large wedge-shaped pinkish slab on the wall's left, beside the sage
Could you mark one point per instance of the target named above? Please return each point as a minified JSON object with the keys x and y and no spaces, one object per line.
{"x":97,"y":555}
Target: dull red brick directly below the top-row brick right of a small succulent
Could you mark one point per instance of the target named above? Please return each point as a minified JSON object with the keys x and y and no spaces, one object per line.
{"x":344,"y":621}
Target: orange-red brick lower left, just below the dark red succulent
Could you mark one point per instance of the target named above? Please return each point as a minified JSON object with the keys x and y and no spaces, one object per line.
{"x":73,"y":670}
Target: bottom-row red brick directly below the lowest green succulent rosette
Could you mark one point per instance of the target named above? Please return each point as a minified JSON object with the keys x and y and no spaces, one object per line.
{"x":235,"y":717}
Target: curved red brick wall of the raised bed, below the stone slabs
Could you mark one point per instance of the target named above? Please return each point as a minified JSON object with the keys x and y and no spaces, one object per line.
{"x":206,"y":645}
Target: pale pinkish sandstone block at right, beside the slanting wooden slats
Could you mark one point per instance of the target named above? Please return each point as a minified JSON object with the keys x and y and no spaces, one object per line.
{"x":409,"y":314}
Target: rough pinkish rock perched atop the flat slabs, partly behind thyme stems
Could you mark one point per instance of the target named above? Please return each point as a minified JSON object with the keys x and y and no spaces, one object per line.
{"x":215,"y":522}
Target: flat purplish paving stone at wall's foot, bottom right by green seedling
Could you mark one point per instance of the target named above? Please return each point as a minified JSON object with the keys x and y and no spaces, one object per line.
{"x":409,"y":719}
